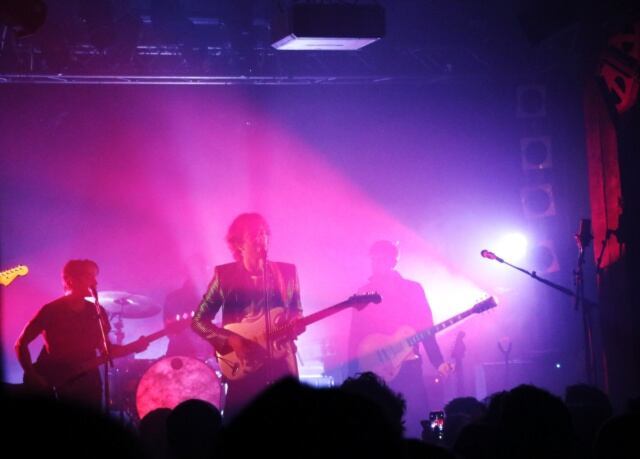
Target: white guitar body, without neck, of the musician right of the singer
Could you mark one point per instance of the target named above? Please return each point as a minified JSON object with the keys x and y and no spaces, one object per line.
{"x":385,"y":354}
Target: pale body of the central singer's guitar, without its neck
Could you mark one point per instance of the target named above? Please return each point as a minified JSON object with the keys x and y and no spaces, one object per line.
{"x":255,"y":330}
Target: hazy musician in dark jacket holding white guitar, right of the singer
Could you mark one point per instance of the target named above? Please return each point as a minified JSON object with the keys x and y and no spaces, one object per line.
{"x":403,"y":304}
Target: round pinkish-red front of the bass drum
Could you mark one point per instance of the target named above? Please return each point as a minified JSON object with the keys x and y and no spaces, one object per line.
{"x":172,"y":380}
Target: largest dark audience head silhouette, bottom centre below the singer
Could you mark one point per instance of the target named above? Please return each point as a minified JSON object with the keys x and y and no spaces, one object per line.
{"x":291,"y":420}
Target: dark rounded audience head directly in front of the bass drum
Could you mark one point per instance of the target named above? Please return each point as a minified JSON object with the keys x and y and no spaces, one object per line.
{"x":193,"y":429}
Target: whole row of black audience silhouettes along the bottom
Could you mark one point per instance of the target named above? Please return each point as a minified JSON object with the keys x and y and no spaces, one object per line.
{"x":362,"y":418}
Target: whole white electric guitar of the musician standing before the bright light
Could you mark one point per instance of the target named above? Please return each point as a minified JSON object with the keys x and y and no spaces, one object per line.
{"x":385,"y":354}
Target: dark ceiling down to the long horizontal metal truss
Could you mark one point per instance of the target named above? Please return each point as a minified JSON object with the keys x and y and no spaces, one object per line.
{"x":229,"y":42}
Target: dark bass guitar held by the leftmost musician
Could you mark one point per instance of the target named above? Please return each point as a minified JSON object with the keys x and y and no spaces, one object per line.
{"x":60,"y":374}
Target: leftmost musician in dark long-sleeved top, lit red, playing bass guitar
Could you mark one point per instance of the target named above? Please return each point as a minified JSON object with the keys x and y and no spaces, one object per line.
{"x":71,"y":332}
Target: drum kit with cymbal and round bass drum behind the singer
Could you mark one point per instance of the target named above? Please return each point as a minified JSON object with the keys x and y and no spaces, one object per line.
{"x":139,"y":386}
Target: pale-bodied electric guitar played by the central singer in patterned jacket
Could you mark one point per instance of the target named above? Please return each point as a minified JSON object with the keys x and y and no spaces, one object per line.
{"x":281,"y":336}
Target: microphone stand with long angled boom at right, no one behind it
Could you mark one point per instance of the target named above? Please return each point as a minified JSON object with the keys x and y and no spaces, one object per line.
{"x":580,"y":301}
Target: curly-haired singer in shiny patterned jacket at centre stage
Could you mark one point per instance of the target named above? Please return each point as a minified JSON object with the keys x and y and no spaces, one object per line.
{"x":245,"y":291}
